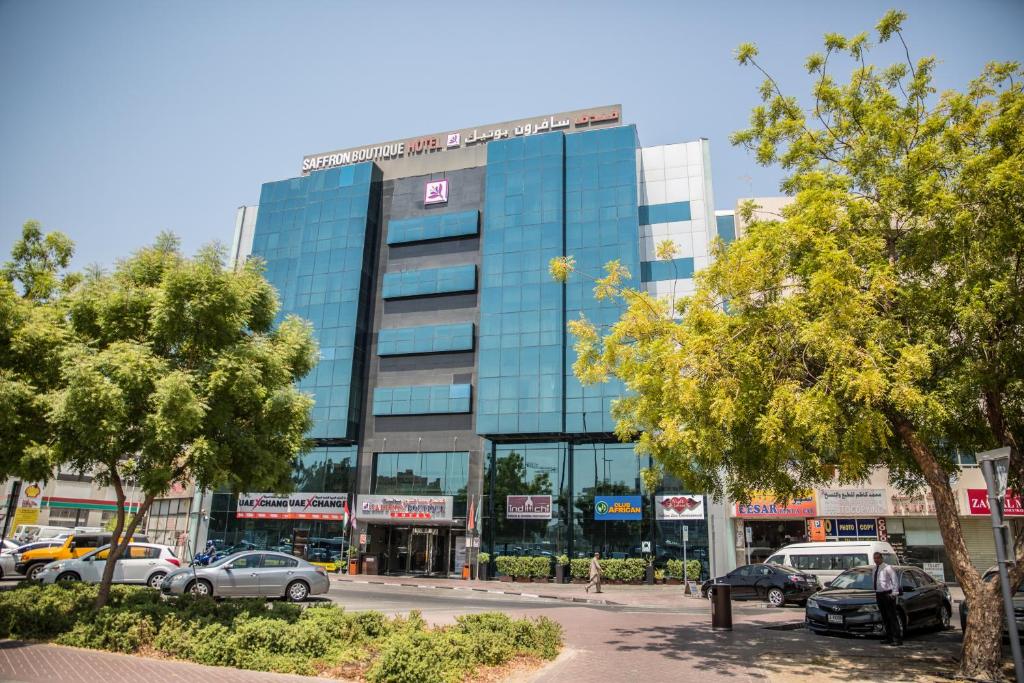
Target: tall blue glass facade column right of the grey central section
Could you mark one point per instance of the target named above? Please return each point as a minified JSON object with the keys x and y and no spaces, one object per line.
{"x":522,"y":312}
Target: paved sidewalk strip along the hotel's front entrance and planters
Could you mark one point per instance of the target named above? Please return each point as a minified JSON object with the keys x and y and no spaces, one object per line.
{"x":628,"y":595}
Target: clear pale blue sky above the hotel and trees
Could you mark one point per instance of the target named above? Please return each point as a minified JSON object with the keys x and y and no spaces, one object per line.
{"x":119,"y":120}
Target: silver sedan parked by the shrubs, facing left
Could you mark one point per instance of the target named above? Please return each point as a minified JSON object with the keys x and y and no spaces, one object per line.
{"x":254,"y":574}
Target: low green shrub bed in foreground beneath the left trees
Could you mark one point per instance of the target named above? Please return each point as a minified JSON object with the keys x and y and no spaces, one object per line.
{"x":279,"y":637}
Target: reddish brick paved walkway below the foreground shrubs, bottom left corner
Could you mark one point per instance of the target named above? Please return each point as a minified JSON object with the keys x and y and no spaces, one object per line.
{"x":30,"y":663}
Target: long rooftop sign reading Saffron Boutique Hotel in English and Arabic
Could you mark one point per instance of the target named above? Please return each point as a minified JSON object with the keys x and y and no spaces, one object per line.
{"x":465,"y":139}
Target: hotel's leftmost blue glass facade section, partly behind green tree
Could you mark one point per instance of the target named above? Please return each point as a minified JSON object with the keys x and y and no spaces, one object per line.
{"x":317,"y":235}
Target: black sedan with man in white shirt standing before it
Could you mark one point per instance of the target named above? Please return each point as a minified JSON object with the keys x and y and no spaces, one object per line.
{"x":848,"y":605}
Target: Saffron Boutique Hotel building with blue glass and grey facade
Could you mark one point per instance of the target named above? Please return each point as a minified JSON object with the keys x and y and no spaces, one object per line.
{"x":448,"y":415}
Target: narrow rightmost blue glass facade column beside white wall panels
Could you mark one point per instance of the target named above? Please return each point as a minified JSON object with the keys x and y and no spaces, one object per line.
{"x":602,"y":225}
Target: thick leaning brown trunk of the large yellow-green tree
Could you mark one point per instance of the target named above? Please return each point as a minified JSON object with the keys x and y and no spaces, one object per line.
{"x":982,"y":653}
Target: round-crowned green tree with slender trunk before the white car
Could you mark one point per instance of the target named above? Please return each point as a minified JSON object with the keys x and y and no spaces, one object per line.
{"x":172,"y":370}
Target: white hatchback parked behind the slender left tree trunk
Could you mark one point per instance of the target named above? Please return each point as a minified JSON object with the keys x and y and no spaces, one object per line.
{"x":142,"y":564}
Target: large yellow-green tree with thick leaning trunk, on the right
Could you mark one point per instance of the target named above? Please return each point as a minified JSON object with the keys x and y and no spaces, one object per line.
{"x":879,"y":322}
